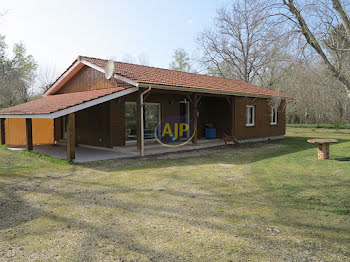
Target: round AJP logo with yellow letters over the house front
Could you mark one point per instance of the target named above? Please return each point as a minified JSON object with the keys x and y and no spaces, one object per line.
{"x":174,"y":131}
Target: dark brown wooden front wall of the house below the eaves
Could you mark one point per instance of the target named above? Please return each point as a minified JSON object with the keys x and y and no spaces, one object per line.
{"x":104,"y":124}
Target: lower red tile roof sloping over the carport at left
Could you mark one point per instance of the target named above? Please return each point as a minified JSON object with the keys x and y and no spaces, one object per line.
{"x":53,"y":103}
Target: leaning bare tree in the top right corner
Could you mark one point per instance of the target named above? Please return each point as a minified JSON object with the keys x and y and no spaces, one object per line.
{"x":320,"y":22}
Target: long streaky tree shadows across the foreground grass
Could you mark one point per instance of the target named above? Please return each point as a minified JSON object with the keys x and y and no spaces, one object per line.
{"x":17,"y":211}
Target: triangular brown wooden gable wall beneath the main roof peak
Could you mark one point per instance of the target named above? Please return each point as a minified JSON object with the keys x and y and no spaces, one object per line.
{"x":87,"y":79}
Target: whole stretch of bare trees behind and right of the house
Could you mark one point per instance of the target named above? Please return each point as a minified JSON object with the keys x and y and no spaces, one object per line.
{"x":301,"y":48}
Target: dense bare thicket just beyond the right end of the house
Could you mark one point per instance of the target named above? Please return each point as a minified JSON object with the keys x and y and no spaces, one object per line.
{"x":317,"y":98}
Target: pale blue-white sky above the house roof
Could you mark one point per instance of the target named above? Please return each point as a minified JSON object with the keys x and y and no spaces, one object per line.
{"x":56,"y":32}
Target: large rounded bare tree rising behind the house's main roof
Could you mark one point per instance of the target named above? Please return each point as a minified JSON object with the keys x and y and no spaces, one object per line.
{"x":243,"y":42}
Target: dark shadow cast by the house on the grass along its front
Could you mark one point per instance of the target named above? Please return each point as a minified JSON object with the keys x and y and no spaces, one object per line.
{"x":289,"y":145}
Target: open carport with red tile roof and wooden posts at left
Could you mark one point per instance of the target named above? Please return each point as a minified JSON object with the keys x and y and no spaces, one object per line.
{"x":53,"y":107}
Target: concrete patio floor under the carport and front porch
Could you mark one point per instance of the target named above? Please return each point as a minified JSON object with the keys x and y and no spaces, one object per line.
{"x":89,"y":154}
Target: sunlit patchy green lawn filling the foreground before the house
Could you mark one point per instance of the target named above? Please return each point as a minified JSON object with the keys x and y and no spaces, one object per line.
{"x":271,"y":201}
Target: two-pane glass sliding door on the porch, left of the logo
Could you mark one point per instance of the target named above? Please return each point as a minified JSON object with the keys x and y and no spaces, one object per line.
{"x":151,"y":118}
